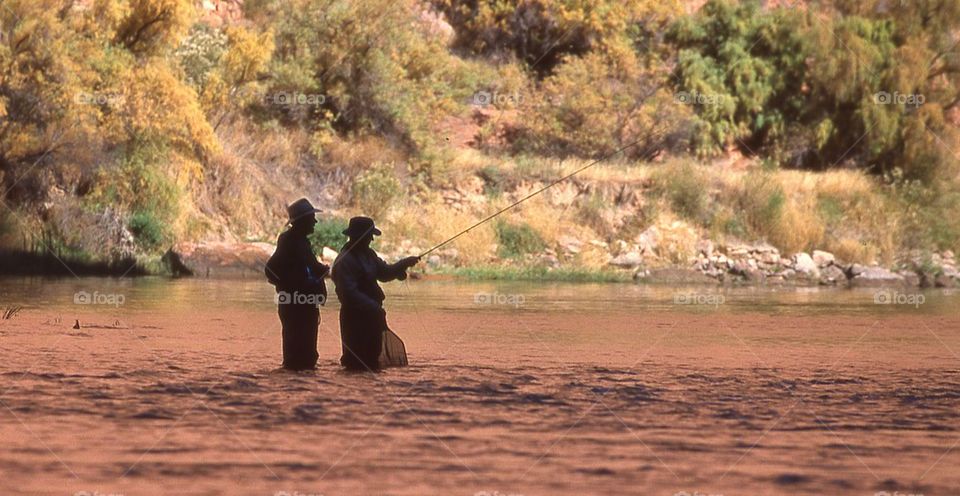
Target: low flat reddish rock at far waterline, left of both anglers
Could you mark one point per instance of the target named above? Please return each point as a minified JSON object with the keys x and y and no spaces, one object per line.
{"x":217,"y":259}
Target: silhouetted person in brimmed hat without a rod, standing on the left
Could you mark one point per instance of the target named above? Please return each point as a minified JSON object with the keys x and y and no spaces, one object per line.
{"x":298,"y":277}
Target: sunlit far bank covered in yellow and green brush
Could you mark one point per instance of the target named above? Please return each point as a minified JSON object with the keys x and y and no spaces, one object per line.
{"x":126,"y":126}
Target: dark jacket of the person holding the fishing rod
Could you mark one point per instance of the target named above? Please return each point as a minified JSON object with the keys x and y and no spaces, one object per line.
{"x":356,"y":272}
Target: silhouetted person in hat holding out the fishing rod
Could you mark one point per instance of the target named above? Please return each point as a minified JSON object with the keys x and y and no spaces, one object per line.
{"x":356,"y":272}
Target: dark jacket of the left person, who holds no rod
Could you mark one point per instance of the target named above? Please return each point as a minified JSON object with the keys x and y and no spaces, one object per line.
{"x":294,"y":267}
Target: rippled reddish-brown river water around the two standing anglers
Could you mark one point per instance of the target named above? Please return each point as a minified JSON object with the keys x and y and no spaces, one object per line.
{"x":172,"y":387}
